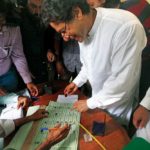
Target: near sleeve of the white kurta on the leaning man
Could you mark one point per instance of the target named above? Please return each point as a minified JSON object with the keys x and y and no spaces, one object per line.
{"x":127,"y":46}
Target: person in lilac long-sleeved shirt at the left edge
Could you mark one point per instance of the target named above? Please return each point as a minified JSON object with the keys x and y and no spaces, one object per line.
{"x":11,"y":54}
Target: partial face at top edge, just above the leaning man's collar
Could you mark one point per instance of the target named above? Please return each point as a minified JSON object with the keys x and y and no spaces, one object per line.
{"x":96,"y":3}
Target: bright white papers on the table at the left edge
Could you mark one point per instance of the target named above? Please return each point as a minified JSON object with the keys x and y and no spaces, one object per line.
{"x":11,"y":112}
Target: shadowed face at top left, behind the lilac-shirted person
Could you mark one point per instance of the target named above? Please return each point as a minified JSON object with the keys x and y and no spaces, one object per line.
{"x":35,"y":6}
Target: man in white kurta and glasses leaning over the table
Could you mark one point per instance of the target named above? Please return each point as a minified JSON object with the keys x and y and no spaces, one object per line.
{"x":110,"y":52}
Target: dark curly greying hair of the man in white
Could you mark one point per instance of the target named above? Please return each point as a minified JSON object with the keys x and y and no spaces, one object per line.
{"x":62,"y":10}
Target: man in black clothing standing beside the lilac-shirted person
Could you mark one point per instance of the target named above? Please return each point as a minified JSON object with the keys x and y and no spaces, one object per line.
{"x":32,"y":31}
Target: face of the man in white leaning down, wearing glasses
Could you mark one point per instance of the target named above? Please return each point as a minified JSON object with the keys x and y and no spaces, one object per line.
{"x":76,"y":29}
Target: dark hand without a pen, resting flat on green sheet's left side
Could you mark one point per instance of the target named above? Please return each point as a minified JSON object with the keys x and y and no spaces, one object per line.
{"x":41,"y":113}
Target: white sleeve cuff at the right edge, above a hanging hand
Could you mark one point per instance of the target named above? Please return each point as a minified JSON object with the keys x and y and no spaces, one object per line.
{"x":146,"y":100}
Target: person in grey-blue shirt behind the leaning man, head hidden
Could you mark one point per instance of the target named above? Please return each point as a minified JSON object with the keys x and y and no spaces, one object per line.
{"x":67,"y":58}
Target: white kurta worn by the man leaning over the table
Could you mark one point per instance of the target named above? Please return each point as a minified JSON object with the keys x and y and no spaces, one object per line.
{"x":111,"y":57}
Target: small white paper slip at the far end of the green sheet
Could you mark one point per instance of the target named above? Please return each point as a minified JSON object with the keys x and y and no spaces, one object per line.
{"x":67,"y":99}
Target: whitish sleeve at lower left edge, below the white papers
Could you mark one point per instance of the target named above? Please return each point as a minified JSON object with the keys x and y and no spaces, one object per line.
{"x":6,"y":127}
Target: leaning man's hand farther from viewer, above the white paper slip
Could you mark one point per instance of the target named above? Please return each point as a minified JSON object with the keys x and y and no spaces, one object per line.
{"x":70,"y":89}
